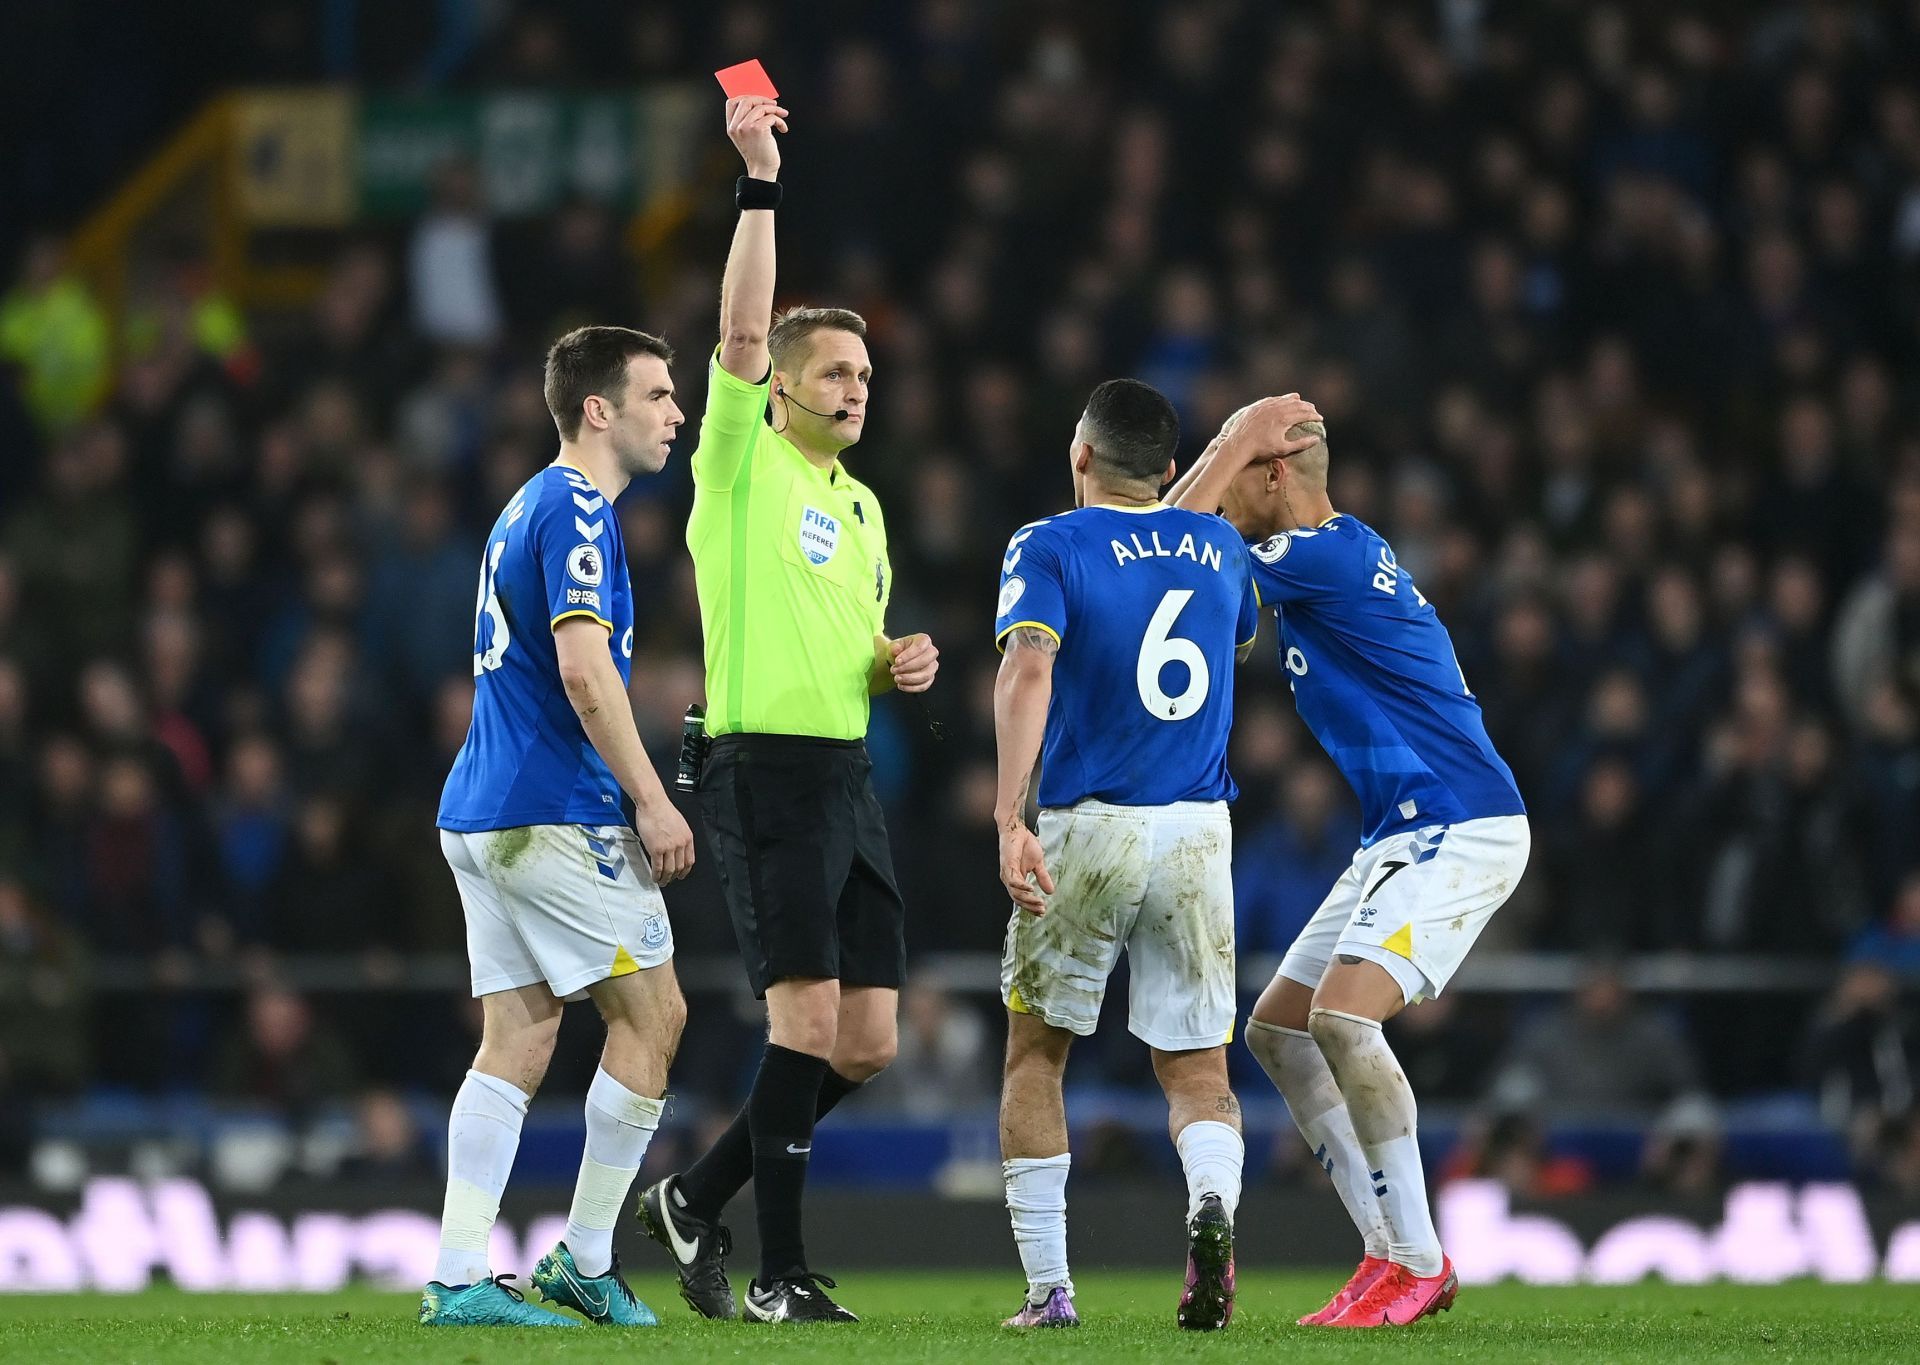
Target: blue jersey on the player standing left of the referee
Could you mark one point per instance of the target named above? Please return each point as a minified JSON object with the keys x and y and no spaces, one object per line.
{"x":554,"y":554}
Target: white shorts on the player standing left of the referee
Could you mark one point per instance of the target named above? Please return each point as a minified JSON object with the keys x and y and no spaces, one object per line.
{"x":567,"y":905}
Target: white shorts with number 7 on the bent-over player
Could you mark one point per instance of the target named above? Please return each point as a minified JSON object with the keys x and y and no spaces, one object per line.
{"x":1416,"y":903}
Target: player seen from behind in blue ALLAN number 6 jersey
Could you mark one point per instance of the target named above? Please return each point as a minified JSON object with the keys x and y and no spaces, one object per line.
{"x":1120,"y":625}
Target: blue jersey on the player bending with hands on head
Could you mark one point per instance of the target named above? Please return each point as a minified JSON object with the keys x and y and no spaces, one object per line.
{"x":1376,"y":679}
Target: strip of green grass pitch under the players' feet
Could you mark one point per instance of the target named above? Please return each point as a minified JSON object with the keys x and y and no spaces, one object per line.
{"x":946,"y":1318}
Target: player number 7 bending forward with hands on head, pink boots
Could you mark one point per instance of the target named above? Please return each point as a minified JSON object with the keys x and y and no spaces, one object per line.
{"x":1445,"y":842}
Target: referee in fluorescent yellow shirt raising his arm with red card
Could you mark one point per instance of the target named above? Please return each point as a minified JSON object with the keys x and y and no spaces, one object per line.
{"x":790,"y":554}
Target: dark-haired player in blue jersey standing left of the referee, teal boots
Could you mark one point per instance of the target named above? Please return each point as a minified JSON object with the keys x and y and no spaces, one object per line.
{"x":560,"y":880}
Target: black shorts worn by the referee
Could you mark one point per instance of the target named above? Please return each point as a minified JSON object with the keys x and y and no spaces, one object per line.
{"x":804,"y":859}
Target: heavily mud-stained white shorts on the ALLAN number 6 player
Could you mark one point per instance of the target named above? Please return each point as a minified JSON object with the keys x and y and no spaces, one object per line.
{"x":1151,"y":880}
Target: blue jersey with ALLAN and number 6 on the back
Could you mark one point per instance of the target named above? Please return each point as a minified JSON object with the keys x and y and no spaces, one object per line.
{"x":1149,"y":608}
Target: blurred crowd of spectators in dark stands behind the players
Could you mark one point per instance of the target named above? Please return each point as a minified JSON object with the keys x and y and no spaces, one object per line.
{"x":1614,"y":312}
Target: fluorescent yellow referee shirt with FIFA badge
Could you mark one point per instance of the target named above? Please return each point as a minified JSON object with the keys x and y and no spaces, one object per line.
{"x":792,"y":569}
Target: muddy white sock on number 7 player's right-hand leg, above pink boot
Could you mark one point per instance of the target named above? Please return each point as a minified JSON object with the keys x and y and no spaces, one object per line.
{"x":1381,"y":1105}
